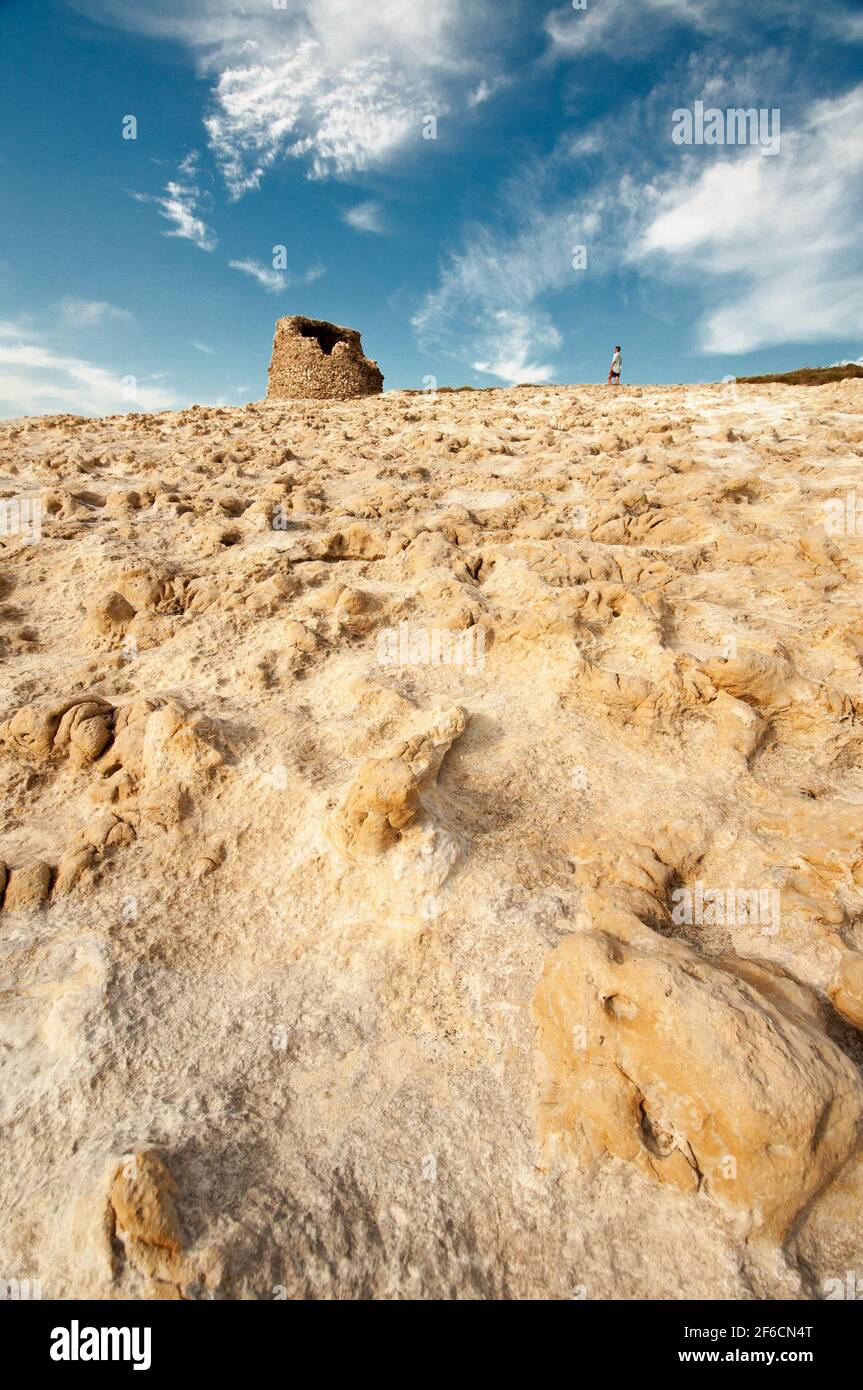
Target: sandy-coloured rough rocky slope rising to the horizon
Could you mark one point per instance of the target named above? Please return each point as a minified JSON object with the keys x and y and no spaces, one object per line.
{"x":434,"y":842}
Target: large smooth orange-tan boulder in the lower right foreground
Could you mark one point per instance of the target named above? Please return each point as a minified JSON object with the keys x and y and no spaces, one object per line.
{"x":640,"y":1058}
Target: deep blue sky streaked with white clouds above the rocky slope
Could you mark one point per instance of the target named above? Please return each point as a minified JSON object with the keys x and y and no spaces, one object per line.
{"x":140,"y":273}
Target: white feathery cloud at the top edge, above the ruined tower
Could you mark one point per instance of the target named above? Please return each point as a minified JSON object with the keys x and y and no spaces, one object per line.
{"x":341,"y":85}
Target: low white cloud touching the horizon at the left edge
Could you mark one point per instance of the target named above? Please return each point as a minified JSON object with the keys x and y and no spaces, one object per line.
{"x":37,"y":380}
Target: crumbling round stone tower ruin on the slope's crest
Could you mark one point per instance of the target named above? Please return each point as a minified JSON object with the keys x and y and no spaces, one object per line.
{"x":320,"y":361}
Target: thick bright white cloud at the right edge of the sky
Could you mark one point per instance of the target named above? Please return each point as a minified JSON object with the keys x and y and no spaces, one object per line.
{"x":773,"y":244}
